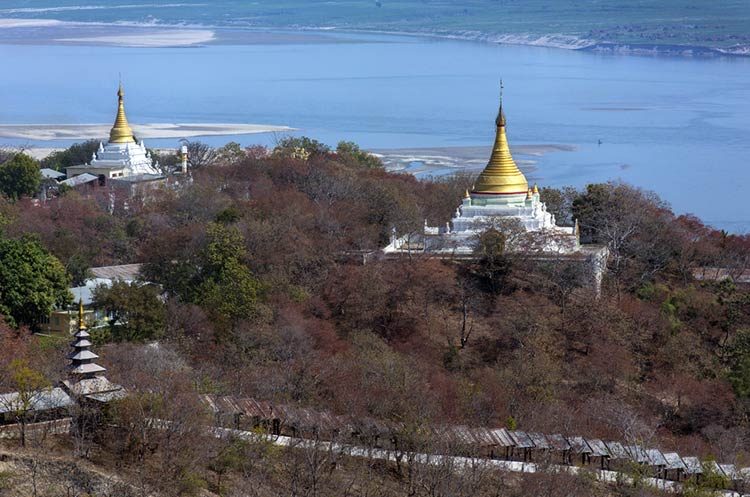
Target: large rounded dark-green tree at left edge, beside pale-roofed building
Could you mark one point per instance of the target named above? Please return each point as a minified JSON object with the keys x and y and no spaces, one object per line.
{"x":32,"y":282}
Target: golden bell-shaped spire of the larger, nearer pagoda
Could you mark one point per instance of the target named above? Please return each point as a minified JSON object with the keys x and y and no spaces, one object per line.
{"x":501,"y":176}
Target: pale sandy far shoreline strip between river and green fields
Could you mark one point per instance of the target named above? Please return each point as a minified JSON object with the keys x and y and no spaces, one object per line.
{"x":16,"y":31}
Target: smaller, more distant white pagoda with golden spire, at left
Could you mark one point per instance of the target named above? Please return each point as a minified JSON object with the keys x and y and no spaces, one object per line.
{"x":122,"y":156}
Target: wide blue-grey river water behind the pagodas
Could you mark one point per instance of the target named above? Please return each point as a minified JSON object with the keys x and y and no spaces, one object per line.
{"x":679,"y":126}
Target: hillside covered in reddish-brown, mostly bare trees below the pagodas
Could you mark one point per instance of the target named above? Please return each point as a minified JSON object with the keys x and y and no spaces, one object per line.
{"x":262,"y":290}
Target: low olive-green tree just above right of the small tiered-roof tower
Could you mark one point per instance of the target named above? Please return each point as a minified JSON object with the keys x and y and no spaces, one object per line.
{"x":137,"y":310}
